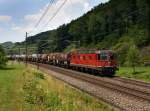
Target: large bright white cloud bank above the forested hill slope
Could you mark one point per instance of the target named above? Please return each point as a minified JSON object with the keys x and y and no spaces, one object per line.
{"x":71,"y":10}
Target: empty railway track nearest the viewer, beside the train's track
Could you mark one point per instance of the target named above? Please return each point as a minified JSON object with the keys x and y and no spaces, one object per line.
{"x":99,"y":82}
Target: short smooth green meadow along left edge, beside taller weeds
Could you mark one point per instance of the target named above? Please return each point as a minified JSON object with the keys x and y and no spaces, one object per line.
{"x":10,"y":90}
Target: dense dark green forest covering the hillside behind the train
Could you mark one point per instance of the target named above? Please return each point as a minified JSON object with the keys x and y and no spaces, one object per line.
{"x":116,"y":25}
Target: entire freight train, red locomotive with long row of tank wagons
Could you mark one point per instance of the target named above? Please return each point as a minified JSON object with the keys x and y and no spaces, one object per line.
{"x":103,"y":62}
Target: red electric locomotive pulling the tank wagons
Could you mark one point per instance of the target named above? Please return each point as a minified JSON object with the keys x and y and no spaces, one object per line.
{"x":103,"y":61}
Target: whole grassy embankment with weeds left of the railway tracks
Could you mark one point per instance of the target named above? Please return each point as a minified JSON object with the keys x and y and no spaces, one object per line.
{"x":24,"y":89}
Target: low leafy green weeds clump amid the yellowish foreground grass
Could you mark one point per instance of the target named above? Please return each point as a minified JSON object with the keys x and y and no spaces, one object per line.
{"x":34,"y":94}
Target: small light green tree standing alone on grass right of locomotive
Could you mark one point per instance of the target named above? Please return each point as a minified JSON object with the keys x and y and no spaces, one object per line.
{"x":133,"y":58}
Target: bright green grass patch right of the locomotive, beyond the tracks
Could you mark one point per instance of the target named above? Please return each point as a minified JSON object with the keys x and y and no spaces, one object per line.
{"x":142,"y":73}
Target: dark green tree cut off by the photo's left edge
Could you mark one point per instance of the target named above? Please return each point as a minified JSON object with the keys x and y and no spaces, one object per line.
{"x":3,"y":59}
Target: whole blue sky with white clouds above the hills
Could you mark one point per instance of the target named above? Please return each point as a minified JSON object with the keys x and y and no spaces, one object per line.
{"x":20,"y":16}
